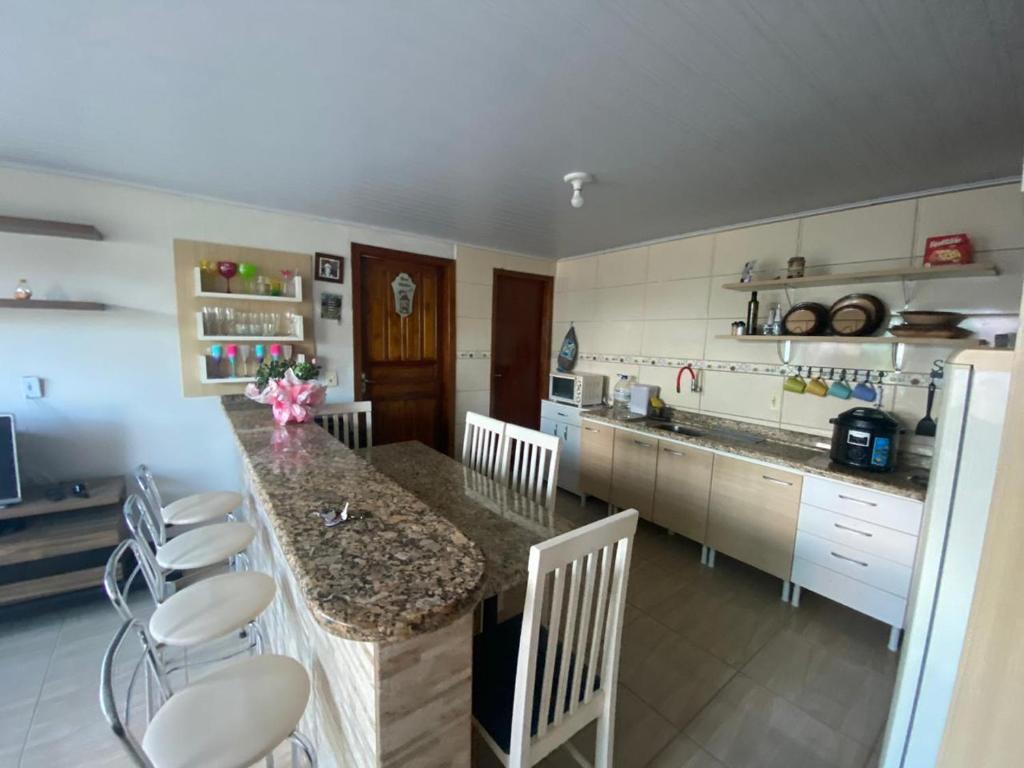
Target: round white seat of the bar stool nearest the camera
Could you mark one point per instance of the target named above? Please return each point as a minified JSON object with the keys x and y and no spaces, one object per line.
{"x":232,"y":717}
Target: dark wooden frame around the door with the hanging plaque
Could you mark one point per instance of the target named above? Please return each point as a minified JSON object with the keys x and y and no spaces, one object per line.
{"x":446,"y":331}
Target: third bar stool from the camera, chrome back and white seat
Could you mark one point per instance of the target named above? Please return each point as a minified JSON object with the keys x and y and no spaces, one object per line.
{"x":200,"y":548}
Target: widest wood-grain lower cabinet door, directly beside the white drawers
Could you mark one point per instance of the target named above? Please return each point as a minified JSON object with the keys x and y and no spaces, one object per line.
{"x":753,"y":515}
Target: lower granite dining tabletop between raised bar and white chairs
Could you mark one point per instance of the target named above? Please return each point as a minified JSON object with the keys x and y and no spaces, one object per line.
{"x":502,"y":524}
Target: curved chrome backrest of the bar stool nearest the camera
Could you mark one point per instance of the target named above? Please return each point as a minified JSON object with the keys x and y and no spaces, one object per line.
{"x":119,"y":710}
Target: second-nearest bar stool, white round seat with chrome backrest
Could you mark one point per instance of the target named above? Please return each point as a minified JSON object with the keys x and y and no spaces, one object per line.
{"x":203,"y":613}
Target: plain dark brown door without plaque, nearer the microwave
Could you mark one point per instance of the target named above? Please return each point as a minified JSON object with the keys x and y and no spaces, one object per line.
{"x":521,"y":347}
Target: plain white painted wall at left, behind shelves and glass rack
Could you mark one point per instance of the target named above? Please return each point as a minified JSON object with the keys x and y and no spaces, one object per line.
{"x":113,"y":380}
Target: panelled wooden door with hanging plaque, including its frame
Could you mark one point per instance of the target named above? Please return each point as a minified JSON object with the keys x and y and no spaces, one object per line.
{"x":405,"y":362}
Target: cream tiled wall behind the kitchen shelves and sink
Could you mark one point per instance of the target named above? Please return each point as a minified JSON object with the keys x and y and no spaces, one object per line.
{"x":652,"y":308}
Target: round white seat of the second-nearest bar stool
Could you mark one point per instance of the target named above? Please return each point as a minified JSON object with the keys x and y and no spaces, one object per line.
{"x":212,"y":609}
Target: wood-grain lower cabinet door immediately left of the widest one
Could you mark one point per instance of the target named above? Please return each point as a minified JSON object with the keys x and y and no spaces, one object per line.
{"x":682,"y":489}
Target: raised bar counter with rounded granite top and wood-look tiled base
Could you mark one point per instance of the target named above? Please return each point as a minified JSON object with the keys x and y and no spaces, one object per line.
{"x":379,"y":610}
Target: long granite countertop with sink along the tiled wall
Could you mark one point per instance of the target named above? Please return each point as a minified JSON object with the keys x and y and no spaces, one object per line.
{"x":781,"y":447}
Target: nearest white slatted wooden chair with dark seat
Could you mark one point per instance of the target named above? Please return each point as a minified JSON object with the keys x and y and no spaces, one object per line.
{"x":567,"y":648}
